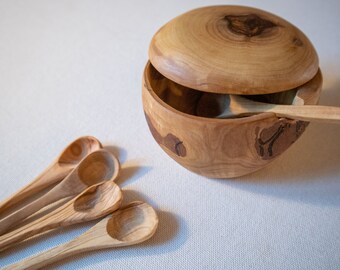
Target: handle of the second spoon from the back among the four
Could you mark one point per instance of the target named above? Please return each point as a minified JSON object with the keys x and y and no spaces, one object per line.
{"x":15,"y":218}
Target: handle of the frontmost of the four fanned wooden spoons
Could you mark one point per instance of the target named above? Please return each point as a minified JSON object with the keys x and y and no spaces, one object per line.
{"x":89,"y":241}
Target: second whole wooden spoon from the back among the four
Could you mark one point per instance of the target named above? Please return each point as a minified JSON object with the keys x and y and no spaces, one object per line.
{"x":95,"y":168}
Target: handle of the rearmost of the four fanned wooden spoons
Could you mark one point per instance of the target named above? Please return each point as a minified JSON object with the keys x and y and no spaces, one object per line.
{"x":53,"y":174}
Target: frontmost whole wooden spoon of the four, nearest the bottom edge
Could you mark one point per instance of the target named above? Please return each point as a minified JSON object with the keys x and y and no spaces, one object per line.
{"x":130,"y":225}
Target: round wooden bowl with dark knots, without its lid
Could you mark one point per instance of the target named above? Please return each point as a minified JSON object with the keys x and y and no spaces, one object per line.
{"x":219,"y":148}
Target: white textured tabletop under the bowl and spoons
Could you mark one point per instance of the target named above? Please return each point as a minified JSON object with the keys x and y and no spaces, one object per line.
{"x":73,"y":68}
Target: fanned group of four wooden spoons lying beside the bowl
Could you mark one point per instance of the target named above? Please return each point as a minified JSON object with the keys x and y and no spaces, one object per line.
{"x":82,"y":180}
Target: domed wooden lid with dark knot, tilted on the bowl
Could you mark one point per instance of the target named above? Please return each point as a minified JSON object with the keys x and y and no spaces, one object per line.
{"x":235,"y":50}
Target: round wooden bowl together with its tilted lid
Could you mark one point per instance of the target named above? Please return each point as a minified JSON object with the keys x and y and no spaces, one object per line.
{"x":202,"y":52}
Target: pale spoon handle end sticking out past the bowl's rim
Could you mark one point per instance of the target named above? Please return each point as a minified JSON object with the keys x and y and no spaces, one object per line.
{"x":315,"y":113}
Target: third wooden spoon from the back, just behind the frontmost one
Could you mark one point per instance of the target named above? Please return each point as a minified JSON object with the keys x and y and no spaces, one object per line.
{"x":95,"y":202}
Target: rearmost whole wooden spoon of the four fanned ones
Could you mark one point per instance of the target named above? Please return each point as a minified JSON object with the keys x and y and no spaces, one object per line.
{"x":64,"y":163}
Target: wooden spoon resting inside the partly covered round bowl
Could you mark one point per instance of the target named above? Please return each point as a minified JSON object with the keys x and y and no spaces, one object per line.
{"x":234,"y":105}
